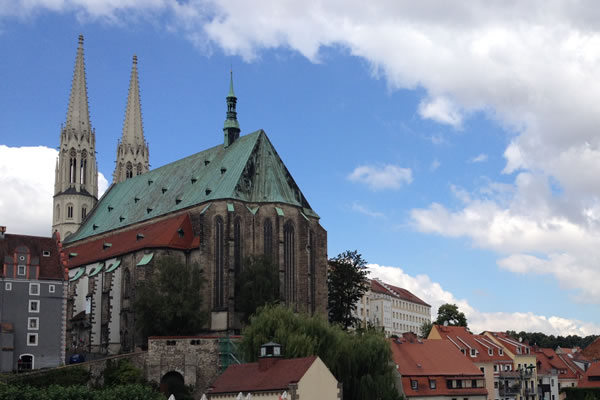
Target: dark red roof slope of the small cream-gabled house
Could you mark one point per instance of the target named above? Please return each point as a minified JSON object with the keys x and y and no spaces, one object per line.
{"x":248,"y":378}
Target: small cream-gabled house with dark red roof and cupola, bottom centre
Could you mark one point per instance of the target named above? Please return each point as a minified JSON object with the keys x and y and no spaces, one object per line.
{"x":300,"y":378}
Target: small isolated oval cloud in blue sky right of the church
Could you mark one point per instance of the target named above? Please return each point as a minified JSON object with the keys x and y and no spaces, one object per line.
{"x":381,"y":176}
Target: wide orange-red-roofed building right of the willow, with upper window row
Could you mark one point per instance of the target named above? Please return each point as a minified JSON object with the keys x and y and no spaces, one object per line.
{"x":436,"y":369}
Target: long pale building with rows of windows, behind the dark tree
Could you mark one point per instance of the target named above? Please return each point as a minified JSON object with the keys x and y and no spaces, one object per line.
{"x":394,"y":309}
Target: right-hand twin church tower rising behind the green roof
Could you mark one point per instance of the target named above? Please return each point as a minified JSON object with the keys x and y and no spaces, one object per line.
{"x":132,"y":149}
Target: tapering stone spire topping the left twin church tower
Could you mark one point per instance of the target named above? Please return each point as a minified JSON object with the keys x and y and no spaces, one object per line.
{"x":78,"y":116}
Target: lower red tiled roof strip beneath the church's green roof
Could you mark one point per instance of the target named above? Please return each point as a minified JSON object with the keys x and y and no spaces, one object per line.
{"x":156,"y":234}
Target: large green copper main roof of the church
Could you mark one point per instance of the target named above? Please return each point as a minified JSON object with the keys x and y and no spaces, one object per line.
{"x":248,"y":170}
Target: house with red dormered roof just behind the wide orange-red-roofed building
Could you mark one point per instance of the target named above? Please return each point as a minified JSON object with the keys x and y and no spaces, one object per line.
{"x":485,"y":354}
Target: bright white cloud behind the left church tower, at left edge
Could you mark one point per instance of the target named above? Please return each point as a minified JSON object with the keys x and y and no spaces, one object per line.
{"x":27,"y":182}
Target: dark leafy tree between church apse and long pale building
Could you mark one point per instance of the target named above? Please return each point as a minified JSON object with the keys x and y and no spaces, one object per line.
{"x":347,"y":282}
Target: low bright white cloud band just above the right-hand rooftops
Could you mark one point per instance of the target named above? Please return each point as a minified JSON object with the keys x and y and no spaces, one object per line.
{"x":432,"y":293}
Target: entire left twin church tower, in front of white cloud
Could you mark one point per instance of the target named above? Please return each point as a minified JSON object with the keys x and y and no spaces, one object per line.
{"x":76,"y":176}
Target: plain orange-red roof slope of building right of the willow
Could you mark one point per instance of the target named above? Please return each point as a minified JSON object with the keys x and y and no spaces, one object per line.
{"x":431,"y":357}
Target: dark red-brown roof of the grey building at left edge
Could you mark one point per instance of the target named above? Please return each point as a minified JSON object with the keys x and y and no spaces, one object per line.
{"x":50,"y":267}
